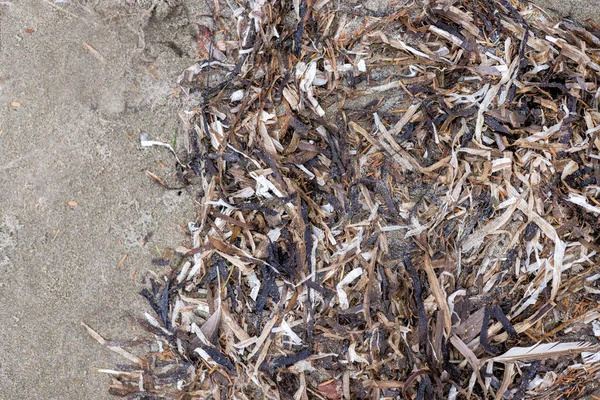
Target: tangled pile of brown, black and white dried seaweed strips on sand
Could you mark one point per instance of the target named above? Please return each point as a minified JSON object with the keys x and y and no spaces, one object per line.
{"x":391,"y":206}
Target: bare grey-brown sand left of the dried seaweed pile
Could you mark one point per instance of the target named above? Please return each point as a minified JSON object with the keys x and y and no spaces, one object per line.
{"x":79,"y":82}
